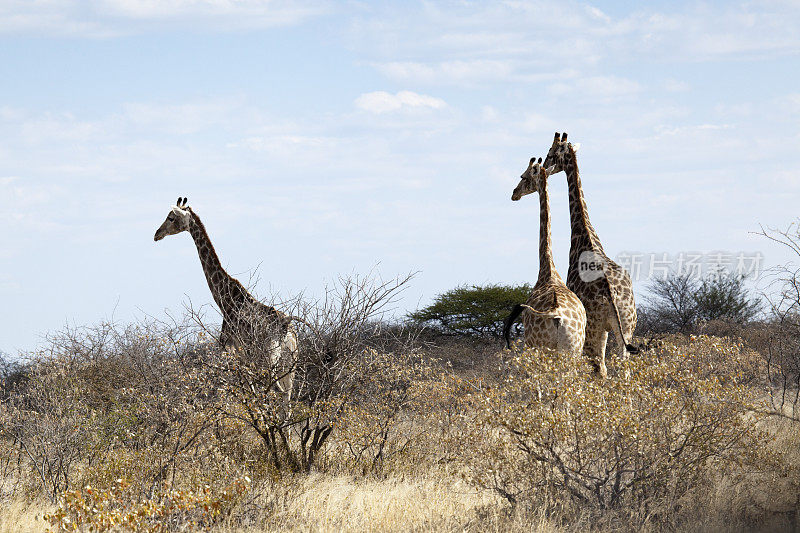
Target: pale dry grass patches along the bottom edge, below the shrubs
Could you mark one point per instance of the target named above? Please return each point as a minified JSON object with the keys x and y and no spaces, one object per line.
{"x":766,"y":502}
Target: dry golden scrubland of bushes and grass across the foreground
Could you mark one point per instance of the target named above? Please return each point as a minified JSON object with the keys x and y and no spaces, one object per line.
{"x":109,"y":433}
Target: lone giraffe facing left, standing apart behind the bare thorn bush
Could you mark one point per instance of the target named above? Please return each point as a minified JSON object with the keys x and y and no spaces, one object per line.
{"x":245,"y":320}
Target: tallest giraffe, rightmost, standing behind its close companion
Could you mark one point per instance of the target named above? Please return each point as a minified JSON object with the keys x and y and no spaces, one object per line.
{"x":602,"y":285}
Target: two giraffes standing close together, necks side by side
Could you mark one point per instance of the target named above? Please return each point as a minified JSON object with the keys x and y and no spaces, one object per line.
{"x":597,"y":299}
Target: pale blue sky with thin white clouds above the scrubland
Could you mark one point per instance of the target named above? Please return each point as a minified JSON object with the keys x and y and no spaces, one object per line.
{"x":321,"y":138}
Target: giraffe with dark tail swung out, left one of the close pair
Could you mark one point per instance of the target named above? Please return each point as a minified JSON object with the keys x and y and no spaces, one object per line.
{"x":554,"y":317}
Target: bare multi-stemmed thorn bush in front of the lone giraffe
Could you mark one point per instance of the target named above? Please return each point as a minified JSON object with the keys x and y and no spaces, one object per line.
{"x":339,"y":341}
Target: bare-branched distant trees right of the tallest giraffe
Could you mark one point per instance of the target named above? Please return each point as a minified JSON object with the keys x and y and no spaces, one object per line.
{"x":677,"y":303}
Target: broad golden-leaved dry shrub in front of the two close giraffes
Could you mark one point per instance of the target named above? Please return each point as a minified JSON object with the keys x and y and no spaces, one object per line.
{"x":554,"y":436}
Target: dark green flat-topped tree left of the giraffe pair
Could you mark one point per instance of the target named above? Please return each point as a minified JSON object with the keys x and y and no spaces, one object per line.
{"x":472,"y":309}
